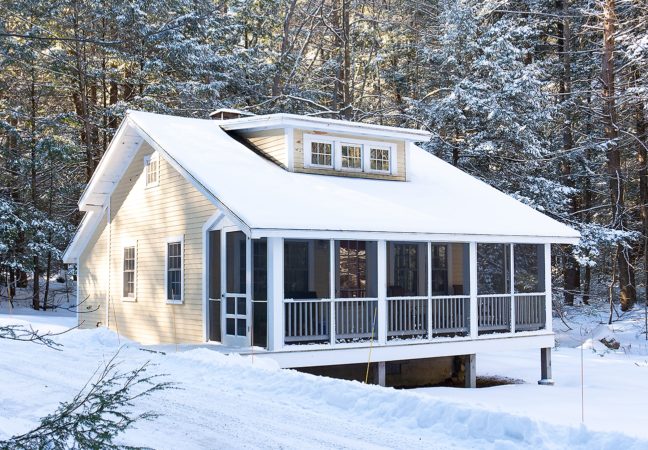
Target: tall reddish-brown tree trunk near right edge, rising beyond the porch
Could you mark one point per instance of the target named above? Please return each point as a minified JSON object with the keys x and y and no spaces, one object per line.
{"x":613,"y":154}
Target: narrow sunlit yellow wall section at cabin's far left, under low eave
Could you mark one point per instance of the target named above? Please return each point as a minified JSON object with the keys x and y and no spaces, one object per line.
{"x":93,"y":278}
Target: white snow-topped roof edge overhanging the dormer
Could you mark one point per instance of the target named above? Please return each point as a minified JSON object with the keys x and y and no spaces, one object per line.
{"x":274,"y":121}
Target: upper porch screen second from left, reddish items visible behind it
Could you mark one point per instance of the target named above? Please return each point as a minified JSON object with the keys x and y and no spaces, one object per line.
{"x":357,"y":269}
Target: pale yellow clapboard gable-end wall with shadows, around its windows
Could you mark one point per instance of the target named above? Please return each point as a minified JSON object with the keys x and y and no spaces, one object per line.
{"x":147,"y":217}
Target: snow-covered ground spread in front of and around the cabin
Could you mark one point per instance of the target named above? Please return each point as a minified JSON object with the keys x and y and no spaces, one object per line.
{"x":237,"y":402}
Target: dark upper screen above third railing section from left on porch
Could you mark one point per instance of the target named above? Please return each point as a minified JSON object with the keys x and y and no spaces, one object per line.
{"x":407,"y":269}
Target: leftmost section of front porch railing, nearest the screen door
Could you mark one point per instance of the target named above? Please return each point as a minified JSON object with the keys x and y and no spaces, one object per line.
{"x":307,"y":321}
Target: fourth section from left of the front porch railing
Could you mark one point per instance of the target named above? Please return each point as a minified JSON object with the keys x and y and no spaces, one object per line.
{"x":451,"y":315}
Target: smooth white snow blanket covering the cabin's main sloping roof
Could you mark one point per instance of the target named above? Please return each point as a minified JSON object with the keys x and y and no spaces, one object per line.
{"x":438,"y":199}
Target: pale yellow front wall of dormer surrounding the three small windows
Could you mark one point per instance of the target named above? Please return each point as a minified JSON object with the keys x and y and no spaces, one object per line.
{"x":299,"y":157}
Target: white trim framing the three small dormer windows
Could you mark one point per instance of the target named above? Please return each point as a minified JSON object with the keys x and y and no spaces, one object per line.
{"x":337,"y":142}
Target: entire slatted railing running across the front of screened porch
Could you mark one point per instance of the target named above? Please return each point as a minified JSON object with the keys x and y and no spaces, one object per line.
{"x":309,"y":321}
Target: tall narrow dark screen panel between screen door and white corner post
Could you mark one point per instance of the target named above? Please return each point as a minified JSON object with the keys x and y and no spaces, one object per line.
{"x":260,"y":293}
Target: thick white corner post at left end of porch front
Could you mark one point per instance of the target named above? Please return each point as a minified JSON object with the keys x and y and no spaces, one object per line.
{"x":275,"y":293}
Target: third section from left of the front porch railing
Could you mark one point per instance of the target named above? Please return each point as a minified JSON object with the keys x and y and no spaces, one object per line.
{"x":407,"y":318}
